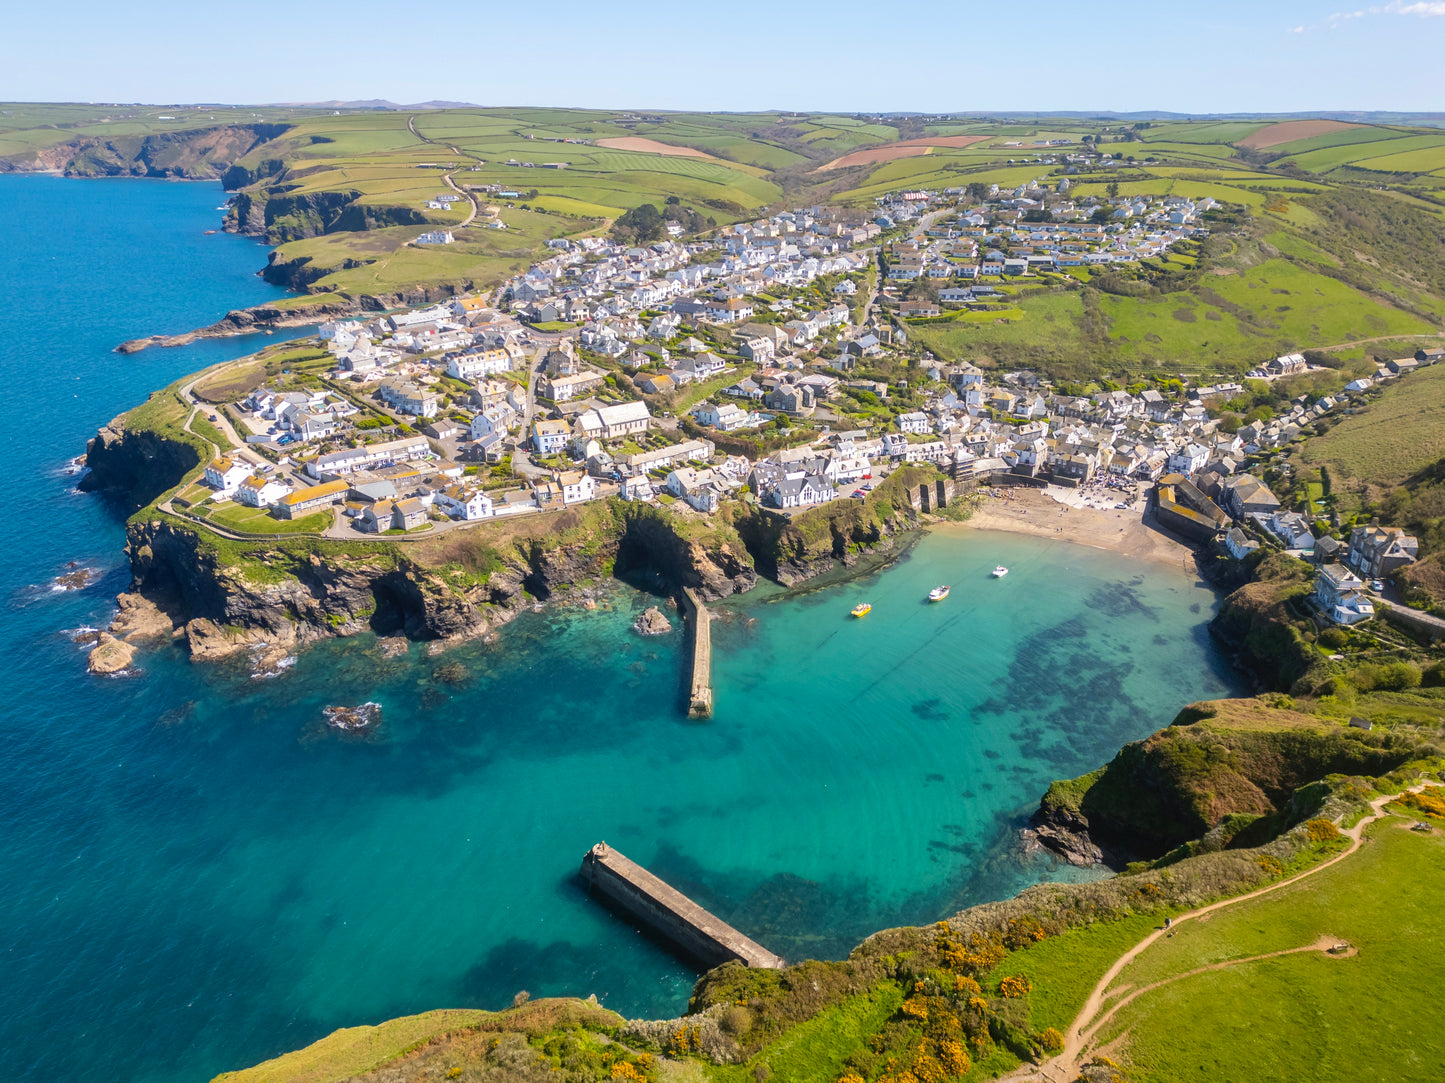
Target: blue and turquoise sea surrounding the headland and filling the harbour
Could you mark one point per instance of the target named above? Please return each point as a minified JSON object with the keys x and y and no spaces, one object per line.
{"x":197,"y":874}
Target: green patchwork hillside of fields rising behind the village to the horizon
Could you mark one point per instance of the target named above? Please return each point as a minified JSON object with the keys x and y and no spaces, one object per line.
{"x":1329,"y":234}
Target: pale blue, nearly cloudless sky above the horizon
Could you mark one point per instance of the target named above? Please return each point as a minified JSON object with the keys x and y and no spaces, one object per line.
{"x":928,"y":56}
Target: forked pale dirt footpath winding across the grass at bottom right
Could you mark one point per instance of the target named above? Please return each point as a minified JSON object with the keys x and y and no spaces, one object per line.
{"x":1079,"y":1040}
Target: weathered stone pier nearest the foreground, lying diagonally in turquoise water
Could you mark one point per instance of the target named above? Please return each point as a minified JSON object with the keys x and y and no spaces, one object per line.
{"x":670,"y":913}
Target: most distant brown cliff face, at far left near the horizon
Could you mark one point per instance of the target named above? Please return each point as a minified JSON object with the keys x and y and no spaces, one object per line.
{"x":199,"y":154}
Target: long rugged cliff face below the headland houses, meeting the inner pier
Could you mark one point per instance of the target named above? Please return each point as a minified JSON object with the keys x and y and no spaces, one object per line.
{"x":238,"y":596}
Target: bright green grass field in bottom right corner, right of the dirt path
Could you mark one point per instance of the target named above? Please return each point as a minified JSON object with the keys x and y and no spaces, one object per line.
{"x":1371,"y":1017}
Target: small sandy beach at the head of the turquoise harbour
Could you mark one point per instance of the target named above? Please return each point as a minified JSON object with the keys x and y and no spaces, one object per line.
{"x":1073,"y":517}
